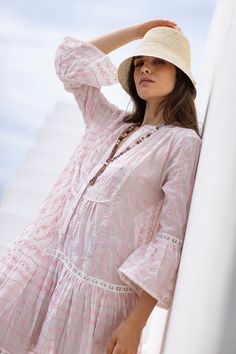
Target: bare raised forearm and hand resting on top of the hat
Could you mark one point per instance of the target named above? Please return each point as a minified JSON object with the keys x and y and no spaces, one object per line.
{"x":116,"y":39}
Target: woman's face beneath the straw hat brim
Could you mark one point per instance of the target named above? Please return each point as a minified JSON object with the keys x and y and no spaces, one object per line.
{"x":161,"y":73}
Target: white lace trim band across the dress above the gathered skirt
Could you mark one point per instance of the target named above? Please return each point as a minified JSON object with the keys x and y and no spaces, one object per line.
{"x":87,"y":278}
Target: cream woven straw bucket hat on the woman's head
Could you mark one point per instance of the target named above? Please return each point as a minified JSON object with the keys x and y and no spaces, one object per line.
{"x":165,"y":43}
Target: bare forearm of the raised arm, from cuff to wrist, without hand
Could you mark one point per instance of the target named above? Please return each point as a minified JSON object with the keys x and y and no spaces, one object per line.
{"x":113,"y":40}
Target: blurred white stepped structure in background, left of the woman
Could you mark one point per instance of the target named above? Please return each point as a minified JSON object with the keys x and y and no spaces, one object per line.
{"x":54,"y":143}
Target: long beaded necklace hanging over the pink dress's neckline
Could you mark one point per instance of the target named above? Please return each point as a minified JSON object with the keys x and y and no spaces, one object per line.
{"x":121,"y":137}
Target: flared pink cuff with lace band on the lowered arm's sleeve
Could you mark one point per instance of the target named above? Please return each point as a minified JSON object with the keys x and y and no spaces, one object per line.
{"x":153,"y":268}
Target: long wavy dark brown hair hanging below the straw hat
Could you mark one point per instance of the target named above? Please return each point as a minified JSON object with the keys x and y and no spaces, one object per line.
{"x":178,"y":107}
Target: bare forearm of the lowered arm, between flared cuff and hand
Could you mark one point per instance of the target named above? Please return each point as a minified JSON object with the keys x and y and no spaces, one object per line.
{"x":141,"y":312}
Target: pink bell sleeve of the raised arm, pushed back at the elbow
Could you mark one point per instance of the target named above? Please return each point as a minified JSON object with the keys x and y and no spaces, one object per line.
{"x":83,"y":68}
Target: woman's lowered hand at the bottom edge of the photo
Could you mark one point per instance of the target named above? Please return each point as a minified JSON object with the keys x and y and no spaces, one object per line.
{"x":125,"y":339}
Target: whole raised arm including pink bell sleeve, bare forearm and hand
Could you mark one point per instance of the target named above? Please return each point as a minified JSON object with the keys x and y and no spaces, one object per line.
{"x":84,"y":67}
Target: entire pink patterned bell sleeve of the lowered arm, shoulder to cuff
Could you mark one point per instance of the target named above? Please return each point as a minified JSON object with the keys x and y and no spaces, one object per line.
{"x":153,"y":266}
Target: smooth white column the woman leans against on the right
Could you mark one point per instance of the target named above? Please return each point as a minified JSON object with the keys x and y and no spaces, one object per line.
{"x":203,"y":314}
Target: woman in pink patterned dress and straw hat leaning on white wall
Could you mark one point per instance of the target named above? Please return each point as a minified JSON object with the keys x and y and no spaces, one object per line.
{"x":105,"y":247}
